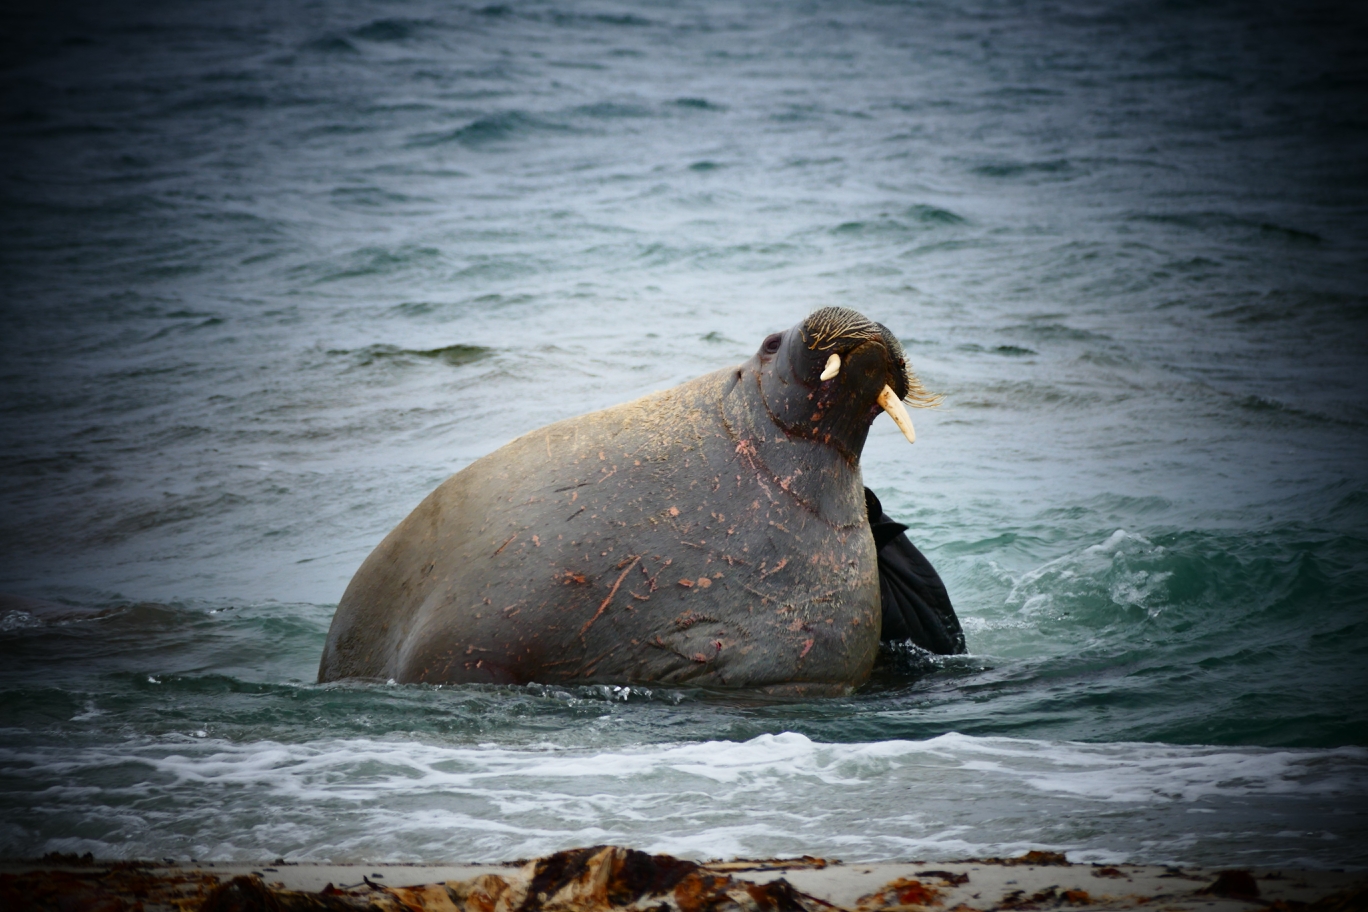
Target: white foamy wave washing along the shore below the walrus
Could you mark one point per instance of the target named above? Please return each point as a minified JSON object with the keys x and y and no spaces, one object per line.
{"x":950,"y":796}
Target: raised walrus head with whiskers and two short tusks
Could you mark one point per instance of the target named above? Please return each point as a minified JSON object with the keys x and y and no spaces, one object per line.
{"x":828,"y":378}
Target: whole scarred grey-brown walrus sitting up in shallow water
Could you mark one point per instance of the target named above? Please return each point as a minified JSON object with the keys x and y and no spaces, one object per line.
{"x":718,"y":534}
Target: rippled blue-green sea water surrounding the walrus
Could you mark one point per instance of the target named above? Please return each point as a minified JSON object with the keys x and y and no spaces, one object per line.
{"x":270,"y":273}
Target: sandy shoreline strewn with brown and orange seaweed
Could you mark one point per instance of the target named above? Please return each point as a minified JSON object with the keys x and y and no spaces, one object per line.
{"x":601,"y":879}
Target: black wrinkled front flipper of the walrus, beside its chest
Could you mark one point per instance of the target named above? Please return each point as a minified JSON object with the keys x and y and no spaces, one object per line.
{"x":915,"y":600}
